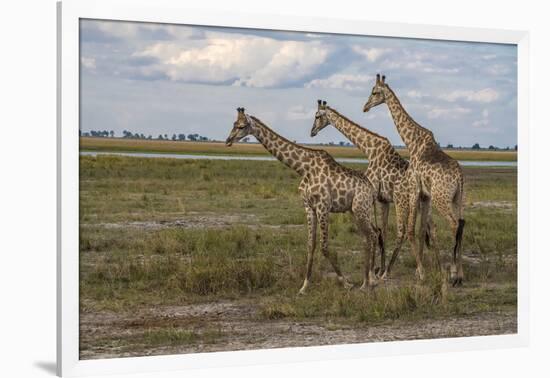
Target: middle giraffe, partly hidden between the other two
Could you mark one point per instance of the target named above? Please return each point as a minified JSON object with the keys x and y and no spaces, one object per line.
{"x":387,"y":170}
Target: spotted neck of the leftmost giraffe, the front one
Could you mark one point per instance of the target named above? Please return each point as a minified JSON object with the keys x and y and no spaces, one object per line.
{"x":290,"y":154}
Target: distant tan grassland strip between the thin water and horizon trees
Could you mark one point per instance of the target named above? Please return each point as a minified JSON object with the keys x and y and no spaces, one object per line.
{"x":219,"y":148}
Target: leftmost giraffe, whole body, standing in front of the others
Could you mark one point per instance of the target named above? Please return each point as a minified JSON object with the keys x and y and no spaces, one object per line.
{"x":326,"y":187}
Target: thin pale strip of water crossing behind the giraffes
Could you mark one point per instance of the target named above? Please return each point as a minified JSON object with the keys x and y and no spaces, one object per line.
{"x":469,"y":163}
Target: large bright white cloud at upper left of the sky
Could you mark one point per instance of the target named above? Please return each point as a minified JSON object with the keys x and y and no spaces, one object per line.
{"x":247,"y":60}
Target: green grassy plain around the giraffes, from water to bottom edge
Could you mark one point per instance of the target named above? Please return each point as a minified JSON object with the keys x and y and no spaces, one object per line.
{"x":199,"y":255}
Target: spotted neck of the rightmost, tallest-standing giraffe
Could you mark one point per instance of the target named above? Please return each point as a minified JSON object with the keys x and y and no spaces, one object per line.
{"x":415,"y":137}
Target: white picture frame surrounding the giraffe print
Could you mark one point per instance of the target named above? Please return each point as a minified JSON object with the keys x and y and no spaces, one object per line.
{"x":171,"y":11}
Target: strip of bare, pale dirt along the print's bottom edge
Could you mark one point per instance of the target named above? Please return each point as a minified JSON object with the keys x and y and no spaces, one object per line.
{"x":239,"y":327}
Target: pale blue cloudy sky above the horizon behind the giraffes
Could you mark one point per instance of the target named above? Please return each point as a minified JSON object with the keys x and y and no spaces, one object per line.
{"x":165,"y":79}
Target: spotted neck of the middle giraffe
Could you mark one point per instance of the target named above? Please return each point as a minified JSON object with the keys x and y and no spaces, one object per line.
{"x":367,"y":141}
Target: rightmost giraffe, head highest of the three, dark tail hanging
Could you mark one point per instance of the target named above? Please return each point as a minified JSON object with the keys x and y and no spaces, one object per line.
{"x":438,"y":177}
